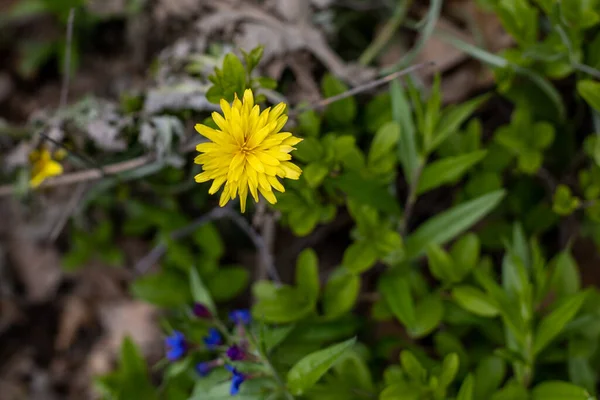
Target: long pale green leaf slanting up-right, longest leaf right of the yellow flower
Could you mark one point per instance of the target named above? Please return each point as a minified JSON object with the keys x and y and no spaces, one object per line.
{"x":448,"y":224}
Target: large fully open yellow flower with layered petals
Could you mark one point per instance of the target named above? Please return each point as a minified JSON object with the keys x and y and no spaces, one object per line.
{"x":247,"y":153}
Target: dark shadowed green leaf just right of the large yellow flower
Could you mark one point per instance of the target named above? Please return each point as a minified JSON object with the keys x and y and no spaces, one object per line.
{"x":368,"y":192}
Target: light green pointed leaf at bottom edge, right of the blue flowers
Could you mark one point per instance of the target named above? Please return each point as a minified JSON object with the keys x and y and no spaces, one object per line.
{"x":306,"y":372}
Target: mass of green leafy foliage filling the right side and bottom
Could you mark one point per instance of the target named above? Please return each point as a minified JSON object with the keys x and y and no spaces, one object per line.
{"x":484,"y":303}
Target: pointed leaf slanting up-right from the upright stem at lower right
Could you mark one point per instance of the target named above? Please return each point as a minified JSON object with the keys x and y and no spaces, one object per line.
{"x":552,"y":325}
